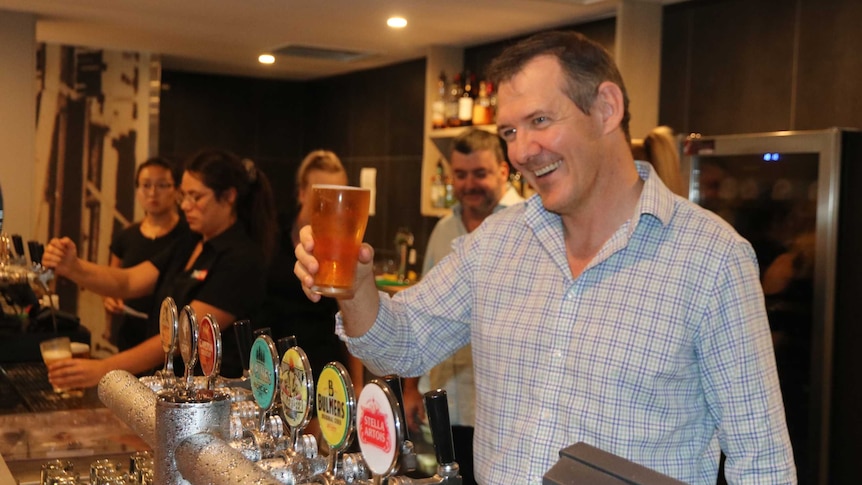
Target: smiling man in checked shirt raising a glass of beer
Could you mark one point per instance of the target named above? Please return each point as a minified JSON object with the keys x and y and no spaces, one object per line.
{"x":604,"y":309}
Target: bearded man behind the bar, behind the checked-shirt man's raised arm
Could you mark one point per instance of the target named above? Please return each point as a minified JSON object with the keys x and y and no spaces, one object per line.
{"x":480,"y":182}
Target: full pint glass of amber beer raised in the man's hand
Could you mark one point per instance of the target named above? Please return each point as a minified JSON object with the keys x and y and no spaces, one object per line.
{"x":338,"y":220}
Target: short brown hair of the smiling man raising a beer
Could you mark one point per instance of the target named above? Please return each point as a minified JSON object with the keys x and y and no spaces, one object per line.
{"x":585,"y":63}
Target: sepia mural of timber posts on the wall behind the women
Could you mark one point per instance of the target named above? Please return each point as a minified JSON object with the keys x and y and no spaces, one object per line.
{"x":92,"y":128}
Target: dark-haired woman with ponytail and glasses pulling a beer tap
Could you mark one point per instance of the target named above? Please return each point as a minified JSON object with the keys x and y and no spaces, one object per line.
{"x":218,"y":269}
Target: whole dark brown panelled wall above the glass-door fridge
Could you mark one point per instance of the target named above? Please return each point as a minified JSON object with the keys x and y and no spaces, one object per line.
{"x":741,"y":66}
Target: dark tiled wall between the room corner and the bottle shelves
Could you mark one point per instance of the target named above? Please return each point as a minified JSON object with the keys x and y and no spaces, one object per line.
{"x":379,"y":114}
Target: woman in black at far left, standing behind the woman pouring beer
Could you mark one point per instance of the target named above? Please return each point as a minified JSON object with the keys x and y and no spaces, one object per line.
{"x":156,"y":191}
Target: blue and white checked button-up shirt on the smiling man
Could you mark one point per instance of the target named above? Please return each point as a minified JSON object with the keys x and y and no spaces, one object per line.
{"x":659,"y":351}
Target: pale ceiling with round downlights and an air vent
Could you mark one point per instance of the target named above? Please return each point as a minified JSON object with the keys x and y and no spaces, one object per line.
{"x":226,"y":36}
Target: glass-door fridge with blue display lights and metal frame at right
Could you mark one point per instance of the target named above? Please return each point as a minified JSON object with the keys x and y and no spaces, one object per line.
{"x":797,"y":197}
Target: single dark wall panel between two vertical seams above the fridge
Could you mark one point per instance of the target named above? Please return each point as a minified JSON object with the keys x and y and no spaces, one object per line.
{"x":741,"y":66}
